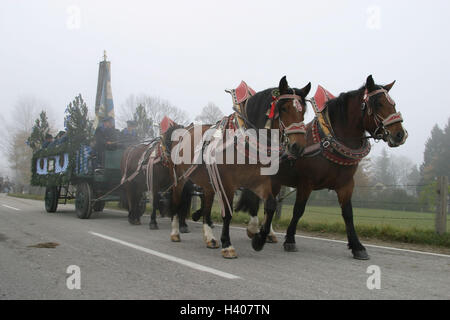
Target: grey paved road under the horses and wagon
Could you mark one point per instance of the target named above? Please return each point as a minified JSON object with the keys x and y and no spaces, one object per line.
{"x":120,"y":261}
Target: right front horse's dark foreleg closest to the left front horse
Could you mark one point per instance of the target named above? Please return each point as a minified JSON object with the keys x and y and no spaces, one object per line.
{"x":299,"y":208}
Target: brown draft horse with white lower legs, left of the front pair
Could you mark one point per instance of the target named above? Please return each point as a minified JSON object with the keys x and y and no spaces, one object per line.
{"x":290,"y":108}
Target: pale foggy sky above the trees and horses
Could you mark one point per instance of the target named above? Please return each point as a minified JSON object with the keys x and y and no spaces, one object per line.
{"x":188,"y":52}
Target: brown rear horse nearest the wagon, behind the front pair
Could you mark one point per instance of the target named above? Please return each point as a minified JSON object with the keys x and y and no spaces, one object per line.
{"x":136,"y":187}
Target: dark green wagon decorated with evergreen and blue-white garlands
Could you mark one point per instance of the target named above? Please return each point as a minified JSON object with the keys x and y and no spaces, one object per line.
{"x":68,"y":173}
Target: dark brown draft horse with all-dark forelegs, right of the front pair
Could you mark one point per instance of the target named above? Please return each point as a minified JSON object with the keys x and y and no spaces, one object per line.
{"x":368,"y":109}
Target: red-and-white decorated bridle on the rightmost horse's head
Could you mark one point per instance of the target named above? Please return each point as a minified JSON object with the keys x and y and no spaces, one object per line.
{"x":381,"y":132}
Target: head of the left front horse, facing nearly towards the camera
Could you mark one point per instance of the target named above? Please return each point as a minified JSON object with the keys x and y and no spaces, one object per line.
{"x":289,"y":107}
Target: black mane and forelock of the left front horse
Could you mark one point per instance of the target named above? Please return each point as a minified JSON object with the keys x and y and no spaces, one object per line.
{"x":258,"y":105}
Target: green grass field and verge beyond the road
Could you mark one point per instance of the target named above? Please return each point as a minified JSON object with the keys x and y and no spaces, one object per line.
{"x":390,"y":225}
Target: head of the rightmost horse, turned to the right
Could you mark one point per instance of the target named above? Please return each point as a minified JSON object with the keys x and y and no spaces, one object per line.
{"x":380,"y":118}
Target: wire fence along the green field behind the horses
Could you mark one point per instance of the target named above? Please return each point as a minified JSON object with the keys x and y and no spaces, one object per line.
{"x":404,"y":206}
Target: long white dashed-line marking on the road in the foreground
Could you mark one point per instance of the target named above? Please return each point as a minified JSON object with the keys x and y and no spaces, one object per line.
{"x":183,"y":262}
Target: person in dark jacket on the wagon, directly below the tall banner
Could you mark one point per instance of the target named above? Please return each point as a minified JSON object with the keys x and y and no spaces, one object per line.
{"x":105,"y":138}
